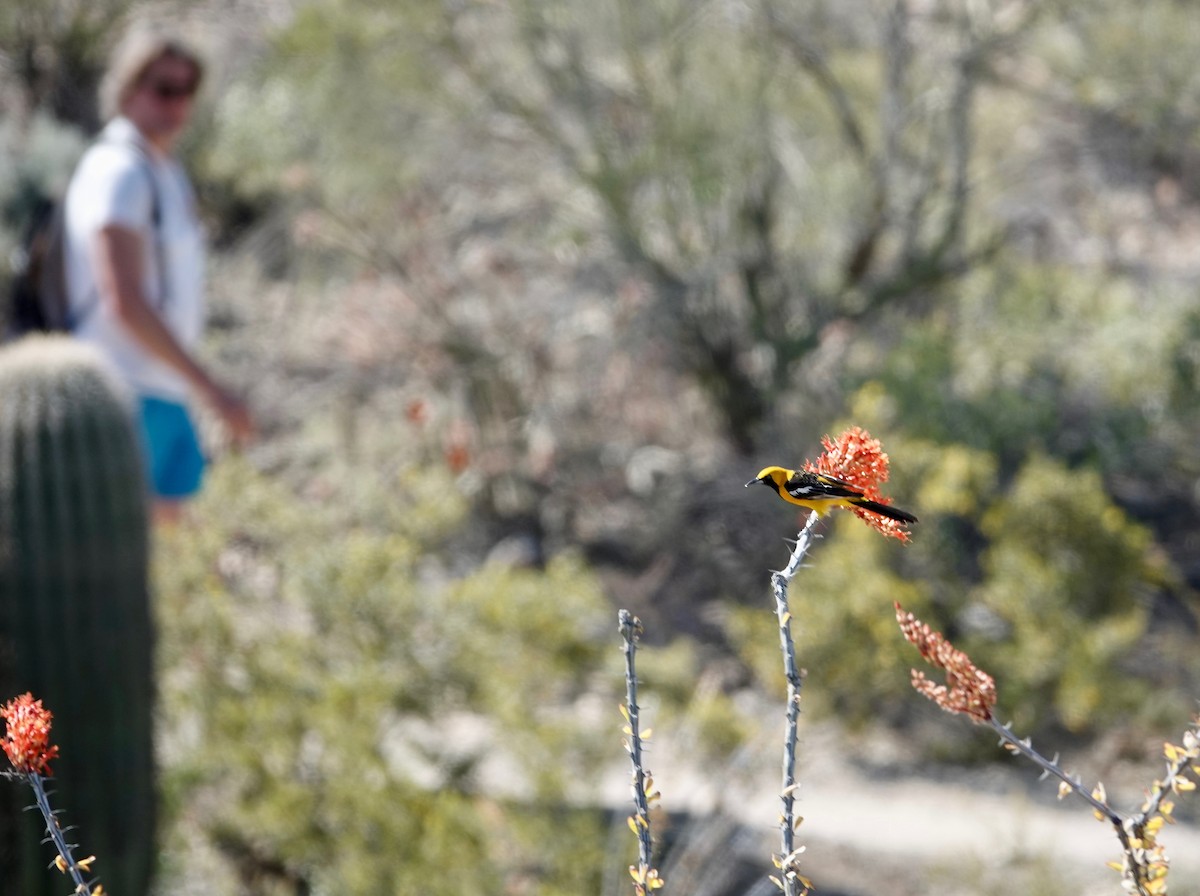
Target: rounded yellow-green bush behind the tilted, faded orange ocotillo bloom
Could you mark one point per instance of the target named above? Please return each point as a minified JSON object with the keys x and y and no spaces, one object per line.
{"x":1067,"y":580}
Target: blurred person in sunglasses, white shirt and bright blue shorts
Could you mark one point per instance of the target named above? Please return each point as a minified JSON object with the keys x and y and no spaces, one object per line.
{"x":135,"y":261}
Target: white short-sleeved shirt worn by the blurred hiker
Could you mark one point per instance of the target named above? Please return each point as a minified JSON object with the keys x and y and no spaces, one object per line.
{"x":112,"y":187}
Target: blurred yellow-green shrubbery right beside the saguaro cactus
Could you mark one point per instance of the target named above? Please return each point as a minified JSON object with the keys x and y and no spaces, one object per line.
{"x":338,"y":701}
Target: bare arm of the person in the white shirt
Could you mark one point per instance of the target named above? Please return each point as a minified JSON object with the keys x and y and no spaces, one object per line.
{"x":118,"y":263}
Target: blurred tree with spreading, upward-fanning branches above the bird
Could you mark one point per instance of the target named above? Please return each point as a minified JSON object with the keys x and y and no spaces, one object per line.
{"x":697,"y":172}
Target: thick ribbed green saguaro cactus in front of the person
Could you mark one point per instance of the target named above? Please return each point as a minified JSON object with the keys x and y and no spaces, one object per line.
{"x":76,"y":627}
